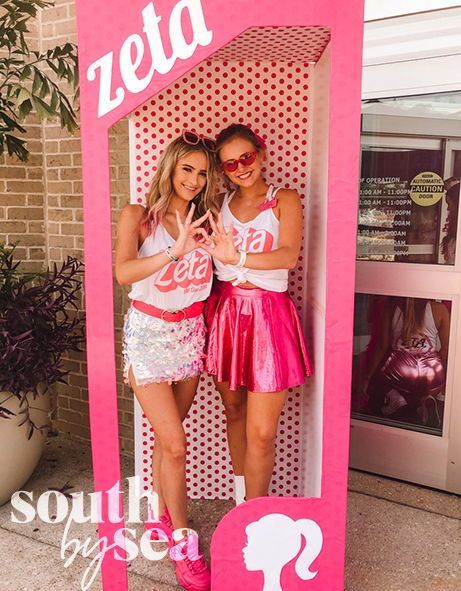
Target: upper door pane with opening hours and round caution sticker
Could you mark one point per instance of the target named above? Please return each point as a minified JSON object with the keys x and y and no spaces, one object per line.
{"x":402,"y":217}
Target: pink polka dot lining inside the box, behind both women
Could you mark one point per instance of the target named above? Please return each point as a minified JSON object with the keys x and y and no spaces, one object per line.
{"x":272,"y":98}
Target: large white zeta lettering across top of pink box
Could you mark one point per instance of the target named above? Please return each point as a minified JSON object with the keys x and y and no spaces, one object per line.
{"x":132,"y":52}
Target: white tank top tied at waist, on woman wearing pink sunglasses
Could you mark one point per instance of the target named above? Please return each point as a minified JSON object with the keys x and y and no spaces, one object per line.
{"x":261,"y":234}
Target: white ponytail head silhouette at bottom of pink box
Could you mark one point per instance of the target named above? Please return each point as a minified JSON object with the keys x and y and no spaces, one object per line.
{"x":275,"y":540}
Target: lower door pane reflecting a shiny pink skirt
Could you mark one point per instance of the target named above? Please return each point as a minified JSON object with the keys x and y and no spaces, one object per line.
{"x":400,"y":361}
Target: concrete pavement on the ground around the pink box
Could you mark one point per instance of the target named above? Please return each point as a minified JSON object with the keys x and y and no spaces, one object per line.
{"x":401,"y":537}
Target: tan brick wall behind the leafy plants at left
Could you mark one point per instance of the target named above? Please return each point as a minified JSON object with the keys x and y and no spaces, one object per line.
{"x":41,"y":205}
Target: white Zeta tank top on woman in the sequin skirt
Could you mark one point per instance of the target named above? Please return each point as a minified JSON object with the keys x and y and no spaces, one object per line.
{"x":177,"y":285}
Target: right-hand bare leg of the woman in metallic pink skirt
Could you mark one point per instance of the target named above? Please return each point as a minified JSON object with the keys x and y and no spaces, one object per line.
{"x":263,"y":413}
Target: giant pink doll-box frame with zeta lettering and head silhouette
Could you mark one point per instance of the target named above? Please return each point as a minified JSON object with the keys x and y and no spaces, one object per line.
{"x":129,"y":52}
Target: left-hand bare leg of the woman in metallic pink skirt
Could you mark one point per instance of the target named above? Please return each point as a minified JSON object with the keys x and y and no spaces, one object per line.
{"x":236,"y":415}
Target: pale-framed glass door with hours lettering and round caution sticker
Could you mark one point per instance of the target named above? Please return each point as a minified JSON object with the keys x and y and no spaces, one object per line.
{"x":406,"y":388}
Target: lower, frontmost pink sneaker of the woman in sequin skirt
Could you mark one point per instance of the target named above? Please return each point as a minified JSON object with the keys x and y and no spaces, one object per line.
{"x":192,"y":571}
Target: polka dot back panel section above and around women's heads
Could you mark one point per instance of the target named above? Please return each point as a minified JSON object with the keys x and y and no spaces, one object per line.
{"x":271,"y":98}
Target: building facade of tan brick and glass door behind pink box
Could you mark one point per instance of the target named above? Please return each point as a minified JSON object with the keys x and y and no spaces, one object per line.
{"x":407,"y":249}
